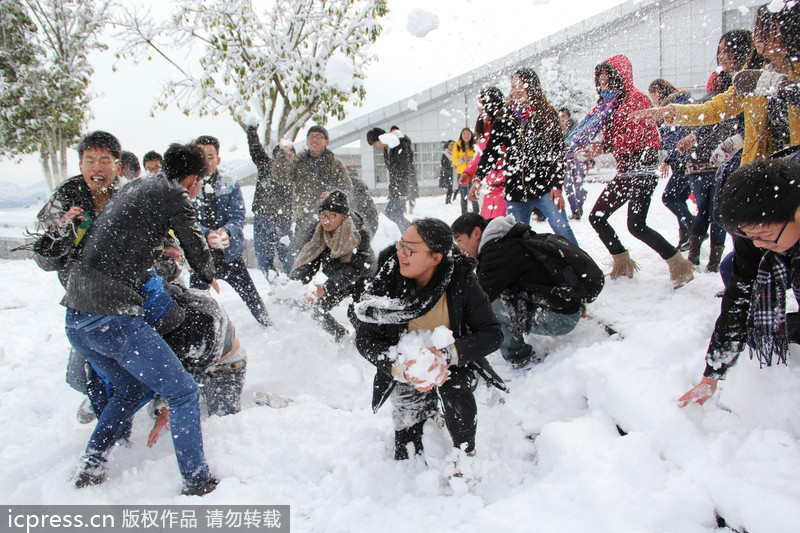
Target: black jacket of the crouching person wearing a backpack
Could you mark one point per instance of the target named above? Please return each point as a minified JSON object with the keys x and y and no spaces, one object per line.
{"x":505,"y":264}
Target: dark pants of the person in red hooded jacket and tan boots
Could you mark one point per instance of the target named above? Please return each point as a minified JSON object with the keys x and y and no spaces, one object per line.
{"x":636,"y":188}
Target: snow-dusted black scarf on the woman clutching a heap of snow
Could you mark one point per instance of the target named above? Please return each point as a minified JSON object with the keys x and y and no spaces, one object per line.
{"x":392,"y":299}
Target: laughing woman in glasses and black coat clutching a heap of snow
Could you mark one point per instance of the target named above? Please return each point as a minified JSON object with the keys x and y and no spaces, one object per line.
{"x":421,"y":284}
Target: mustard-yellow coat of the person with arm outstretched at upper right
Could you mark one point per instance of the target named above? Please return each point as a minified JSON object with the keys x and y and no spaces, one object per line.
{"x":758,"y":141}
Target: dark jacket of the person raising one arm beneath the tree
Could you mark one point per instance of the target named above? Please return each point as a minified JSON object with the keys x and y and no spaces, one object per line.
{"x":272,"y":199}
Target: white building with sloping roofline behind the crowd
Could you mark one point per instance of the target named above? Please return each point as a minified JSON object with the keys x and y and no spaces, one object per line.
{"x":671,"y":39}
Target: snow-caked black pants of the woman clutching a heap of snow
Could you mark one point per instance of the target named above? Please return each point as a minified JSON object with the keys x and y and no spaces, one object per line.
{"x":412,"y":408}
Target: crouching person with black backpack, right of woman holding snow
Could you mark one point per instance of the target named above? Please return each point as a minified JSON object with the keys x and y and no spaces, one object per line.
{"x":537,"y":283}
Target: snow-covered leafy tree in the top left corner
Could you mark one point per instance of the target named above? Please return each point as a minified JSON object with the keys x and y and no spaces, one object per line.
{"x":44,"y":77}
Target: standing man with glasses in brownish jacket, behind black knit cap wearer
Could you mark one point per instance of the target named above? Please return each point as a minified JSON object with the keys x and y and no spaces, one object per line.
{"x":313,"y":173}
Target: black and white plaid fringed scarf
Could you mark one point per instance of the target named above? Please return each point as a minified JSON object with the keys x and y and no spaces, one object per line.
{"x":766,"y":322}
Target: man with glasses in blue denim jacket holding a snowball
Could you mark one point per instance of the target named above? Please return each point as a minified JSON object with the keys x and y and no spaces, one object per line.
{"x":221,"y":213}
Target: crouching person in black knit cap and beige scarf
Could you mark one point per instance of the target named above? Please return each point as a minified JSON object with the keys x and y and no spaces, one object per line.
{"x":339,"y":248}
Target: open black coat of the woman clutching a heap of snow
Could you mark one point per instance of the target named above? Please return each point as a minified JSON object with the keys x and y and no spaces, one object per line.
{"x":475,"y":328}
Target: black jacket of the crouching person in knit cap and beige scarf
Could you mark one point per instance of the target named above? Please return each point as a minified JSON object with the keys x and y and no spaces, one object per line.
{"x":343,"y":278}
